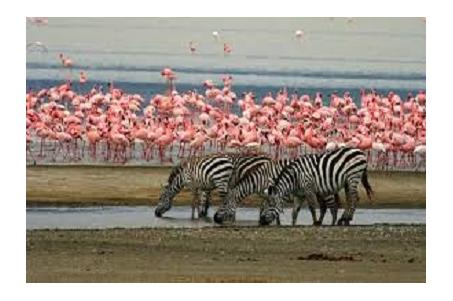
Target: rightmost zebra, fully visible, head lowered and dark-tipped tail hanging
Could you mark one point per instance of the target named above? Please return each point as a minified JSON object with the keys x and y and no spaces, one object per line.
{"x":311,"y":176}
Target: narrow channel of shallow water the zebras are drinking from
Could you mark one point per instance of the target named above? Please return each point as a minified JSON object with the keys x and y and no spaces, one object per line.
{"x":179,"y":217}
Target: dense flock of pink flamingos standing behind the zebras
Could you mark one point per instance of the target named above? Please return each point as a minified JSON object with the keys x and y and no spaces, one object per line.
{"x":114,"y":126}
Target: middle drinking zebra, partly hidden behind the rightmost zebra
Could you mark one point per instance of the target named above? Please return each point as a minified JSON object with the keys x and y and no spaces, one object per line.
{"x":250,"y":179}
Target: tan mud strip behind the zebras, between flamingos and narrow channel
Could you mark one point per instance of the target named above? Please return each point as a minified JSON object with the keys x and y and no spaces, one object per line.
{"x":131,"y":185}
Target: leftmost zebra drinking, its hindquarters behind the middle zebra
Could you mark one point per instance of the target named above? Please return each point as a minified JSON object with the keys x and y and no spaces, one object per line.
{"x":202,"y":175}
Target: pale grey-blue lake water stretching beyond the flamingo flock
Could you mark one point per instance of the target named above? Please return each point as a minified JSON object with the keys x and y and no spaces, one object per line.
{"x":386,"y":54}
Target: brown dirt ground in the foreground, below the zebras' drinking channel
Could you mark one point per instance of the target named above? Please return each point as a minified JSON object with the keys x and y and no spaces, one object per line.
{"x":380,"y":253}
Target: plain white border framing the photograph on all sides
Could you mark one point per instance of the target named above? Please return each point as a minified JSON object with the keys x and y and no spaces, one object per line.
{"x":439,"y":110}
